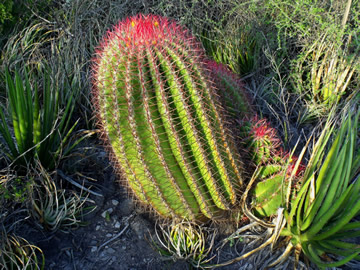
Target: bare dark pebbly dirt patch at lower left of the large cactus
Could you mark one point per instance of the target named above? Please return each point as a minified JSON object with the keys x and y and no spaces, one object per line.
{"x":117,"y":234}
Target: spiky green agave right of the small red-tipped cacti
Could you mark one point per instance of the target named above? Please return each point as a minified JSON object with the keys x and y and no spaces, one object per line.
{"x":319,"y":221}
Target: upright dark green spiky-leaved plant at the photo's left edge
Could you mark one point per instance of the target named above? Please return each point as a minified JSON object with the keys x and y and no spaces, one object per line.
{"x":40,"y":130}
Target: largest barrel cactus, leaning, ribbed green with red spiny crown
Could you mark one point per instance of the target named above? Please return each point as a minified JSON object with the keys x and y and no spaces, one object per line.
{"x":154,"y":104}
